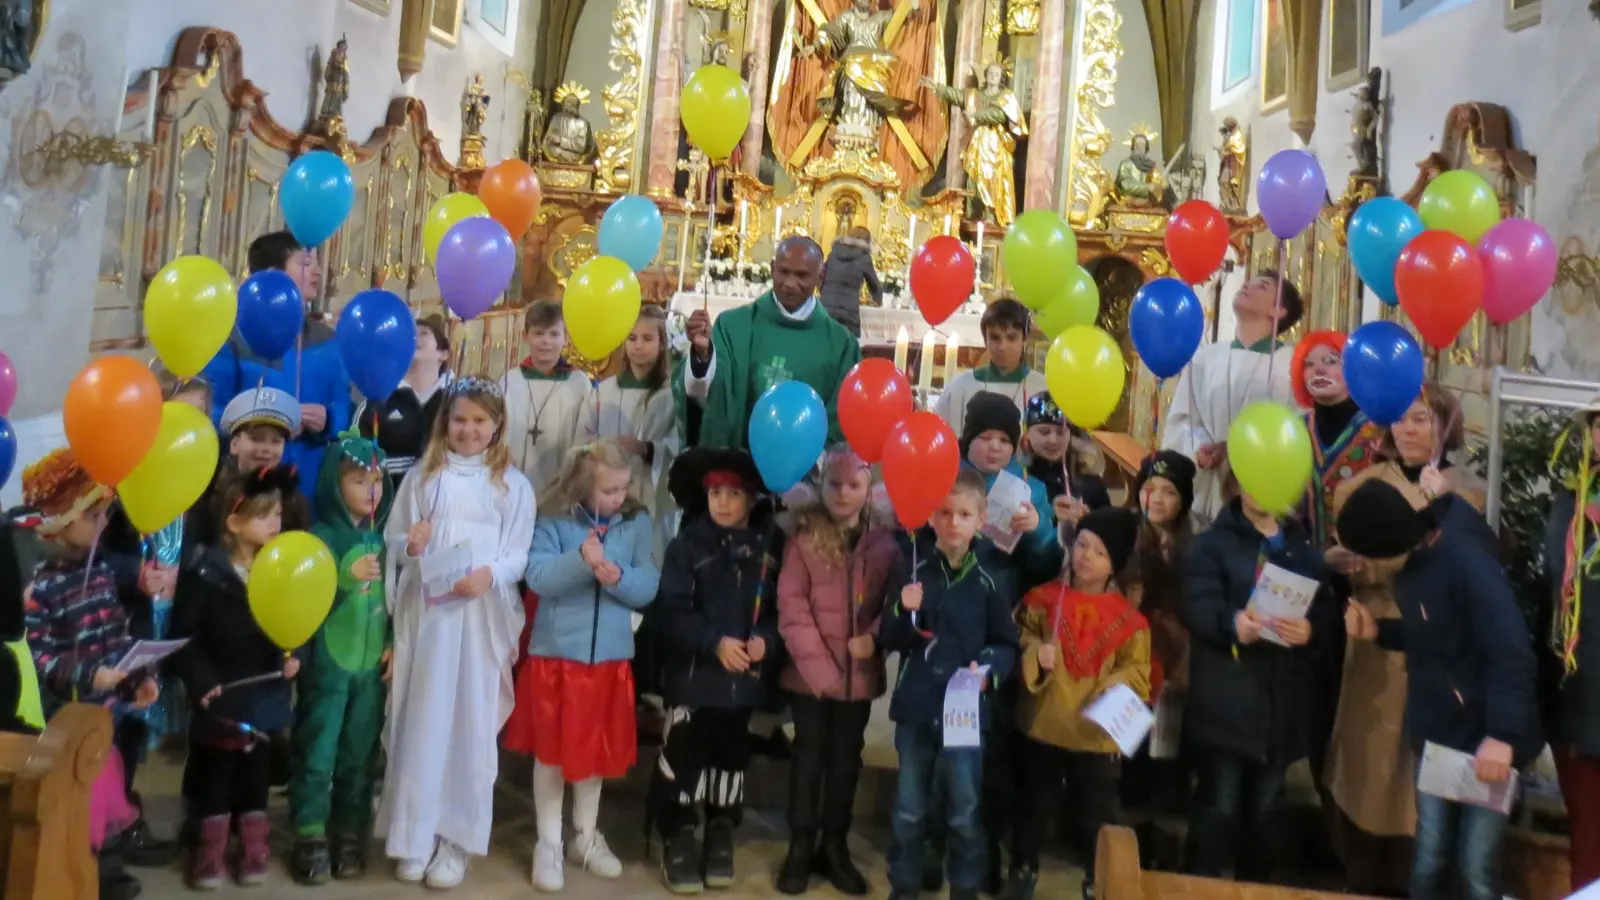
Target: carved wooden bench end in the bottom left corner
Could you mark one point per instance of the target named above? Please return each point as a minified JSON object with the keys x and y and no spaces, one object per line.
{"x":46,"y":785}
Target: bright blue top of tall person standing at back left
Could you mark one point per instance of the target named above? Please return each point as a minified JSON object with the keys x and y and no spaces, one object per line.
{"x":234,"y":369}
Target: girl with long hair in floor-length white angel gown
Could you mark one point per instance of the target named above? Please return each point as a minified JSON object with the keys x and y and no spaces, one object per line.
{"x":452,"y":689}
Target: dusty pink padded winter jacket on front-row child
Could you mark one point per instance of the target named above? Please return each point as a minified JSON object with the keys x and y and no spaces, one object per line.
{"x":817,"y":617}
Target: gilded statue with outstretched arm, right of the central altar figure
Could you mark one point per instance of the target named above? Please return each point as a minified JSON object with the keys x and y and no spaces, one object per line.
{"x":990,"y":158}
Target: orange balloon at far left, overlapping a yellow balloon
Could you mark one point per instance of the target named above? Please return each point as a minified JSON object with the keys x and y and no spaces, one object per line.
{"x":111,"y":417}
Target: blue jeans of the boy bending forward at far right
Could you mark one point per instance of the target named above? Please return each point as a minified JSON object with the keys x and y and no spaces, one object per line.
{"x":1466,"y":835}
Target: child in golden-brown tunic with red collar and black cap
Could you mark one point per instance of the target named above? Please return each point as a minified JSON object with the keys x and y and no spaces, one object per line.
{"x":1081,"y":637}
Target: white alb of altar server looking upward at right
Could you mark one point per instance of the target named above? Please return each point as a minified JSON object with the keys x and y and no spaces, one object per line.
{"x":1220,"y":382}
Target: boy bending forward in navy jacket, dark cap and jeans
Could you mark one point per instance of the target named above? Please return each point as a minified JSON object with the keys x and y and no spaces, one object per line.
{"x":1471,"y":672}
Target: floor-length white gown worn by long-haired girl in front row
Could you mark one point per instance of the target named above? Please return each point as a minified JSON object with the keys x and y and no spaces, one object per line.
{"x":452,"y":688}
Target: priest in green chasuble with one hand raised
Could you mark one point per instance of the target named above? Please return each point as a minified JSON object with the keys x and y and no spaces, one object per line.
{"x":785,"y":335}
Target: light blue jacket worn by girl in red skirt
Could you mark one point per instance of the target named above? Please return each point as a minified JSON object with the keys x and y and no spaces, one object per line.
{"x":578,"y":617}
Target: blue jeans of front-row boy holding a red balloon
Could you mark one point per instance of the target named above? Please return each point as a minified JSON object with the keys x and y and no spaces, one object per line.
{"x":959,"y":776}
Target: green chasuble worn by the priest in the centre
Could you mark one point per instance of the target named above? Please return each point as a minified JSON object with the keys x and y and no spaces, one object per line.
{"x":758,"y":347}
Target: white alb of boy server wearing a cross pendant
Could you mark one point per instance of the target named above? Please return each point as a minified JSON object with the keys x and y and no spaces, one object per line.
{"x":554,"y":408}
